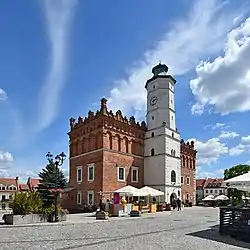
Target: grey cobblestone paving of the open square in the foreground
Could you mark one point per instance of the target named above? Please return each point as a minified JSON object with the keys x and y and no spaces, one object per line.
{"x":191,"y":229}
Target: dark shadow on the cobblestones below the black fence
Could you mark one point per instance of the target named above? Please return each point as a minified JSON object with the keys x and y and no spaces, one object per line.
{"x":213,"y":234}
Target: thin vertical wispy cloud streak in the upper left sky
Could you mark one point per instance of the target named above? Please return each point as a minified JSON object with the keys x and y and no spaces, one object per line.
{"x":59,"y":14}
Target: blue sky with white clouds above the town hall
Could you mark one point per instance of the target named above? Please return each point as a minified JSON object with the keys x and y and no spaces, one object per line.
{"x":59,"y":58}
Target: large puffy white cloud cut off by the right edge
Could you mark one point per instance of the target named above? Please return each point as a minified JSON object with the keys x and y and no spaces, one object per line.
{"x":224,"y":83}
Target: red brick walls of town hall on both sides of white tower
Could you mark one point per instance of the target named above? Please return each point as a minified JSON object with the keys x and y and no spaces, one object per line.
{"x":107,"y":153}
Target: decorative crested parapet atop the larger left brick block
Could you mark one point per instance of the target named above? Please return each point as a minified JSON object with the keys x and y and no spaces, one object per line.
{"x":103,"y":111}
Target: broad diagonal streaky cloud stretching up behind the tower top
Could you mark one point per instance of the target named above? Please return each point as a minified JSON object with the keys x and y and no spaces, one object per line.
{"x":181,"y":48}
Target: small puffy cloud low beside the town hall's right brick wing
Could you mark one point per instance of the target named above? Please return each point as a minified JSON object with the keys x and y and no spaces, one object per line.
{"x":209,"y":152}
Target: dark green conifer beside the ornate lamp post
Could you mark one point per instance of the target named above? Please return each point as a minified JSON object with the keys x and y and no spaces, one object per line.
{"x":51,"y":178}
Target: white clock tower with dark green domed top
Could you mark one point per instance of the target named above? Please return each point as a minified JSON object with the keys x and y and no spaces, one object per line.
{"x":162,"y":164}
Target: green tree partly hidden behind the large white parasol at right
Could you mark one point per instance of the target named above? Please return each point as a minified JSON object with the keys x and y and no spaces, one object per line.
{"x":234,"y":171}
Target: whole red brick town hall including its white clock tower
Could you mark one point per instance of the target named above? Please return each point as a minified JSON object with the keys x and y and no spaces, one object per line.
{"x":109,"y":151}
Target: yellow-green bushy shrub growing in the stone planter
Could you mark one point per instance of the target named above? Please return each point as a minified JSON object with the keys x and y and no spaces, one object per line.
{"x":28,"y":203}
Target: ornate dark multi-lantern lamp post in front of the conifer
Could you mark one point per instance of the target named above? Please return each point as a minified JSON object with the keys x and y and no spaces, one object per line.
{"x":56,"y":161}
